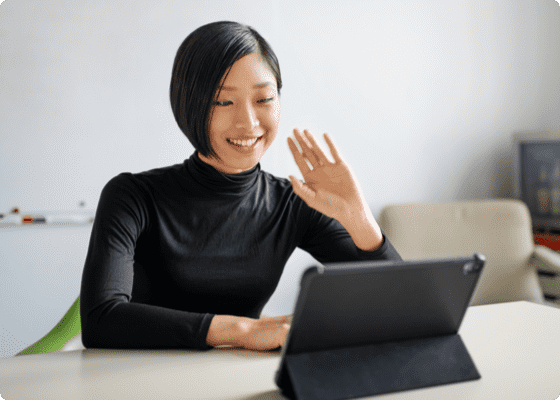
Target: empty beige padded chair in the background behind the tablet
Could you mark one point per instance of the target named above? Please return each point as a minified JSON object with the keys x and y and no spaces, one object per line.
{"x":500,"y":229}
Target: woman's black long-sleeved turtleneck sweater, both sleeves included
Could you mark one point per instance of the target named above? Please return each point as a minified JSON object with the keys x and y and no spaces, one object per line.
{"x":172,"y":247}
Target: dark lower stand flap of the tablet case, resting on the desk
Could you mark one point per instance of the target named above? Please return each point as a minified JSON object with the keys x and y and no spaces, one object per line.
{"x":379,"y":368}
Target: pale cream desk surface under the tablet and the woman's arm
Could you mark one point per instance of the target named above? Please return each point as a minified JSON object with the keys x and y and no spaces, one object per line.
{"x":515,"y":346}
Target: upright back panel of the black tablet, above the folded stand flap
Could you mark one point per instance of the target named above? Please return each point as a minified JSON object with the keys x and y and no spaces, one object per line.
{"x":342,"y":305}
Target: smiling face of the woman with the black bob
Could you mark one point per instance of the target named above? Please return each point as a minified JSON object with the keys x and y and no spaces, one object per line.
{"x":245,"y":116}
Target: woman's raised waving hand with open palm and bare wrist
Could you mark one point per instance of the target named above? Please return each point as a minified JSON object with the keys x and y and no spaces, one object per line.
{"x":332,"y":189}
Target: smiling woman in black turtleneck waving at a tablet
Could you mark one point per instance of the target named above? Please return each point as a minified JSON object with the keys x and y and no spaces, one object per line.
{"x":187,"y":256}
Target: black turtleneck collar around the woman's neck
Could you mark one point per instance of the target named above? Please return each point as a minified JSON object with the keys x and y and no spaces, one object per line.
{"x":218,"y":182}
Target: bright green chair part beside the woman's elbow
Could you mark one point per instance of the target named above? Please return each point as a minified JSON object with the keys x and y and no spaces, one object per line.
{"x":69,"y":326}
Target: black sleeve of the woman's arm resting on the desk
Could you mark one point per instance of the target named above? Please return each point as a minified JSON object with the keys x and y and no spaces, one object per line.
{"x":109,"y":318}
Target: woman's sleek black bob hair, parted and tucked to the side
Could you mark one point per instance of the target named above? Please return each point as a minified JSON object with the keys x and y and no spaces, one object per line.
{"x":202,"y":60}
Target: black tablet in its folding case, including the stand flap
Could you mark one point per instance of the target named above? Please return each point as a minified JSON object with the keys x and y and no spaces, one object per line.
{"x":367,"y":328}
